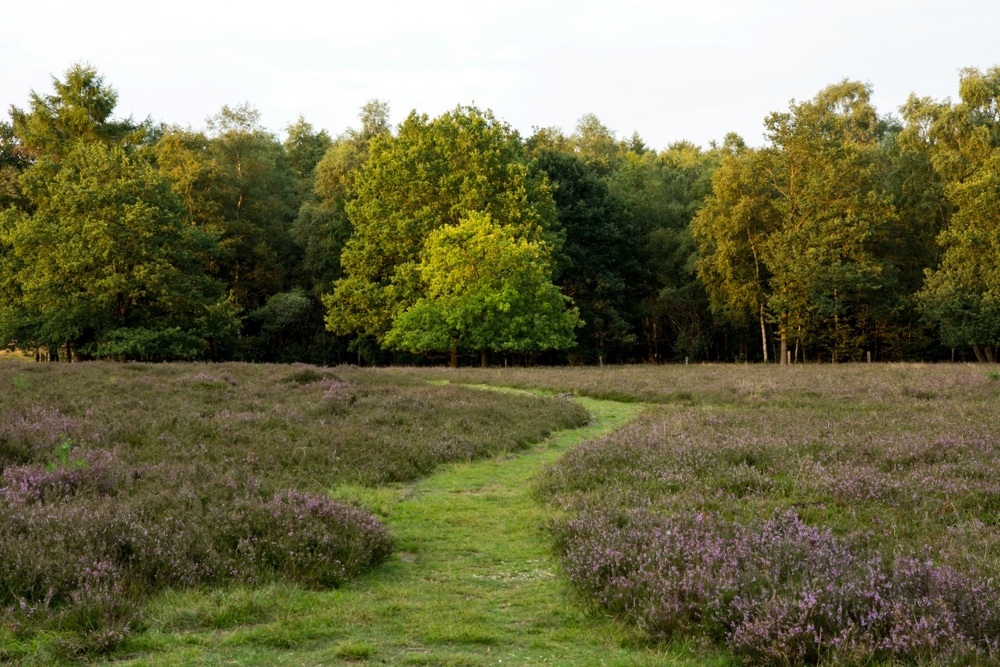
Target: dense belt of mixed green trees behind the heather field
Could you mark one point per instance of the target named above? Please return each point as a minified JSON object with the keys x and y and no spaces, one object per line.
{"x":848,"y":235}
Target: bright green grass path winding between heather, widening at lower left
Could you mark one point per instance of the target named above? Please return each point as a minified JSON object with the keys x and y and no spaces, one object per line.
{"x":472,"y":583}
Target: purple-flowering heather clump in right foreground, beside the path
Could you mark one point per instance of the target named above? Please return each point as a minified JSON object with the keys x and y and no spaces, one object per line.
{"x":778,"y":592}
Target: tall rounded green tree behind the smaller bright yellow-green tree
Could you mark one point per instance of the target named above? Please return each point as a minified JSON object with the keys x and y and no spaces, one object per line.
{"x":433,"y":173}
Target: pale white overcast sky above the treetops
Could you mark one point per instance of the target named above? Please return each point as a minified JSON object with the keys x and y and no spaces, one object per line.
{"x":668,"y":70}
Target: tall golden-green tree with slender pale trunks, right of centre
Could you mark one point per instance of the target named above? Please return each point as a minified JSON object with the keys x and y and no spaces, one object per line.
{"x":796,"y":230}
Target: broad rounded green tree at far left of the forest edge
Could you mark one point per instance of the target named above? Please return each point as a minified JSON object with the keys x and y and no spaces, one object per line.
{"x":105,"y":249}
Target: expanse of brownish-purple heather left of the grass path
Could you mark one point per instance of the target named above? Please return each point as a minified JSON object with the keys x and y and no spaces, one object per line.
{"x":121,"y":481}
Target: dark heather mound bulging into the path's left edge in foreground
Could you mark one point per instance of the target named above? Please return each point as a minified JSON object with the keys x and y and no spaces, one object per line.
{"x":90,"y":559}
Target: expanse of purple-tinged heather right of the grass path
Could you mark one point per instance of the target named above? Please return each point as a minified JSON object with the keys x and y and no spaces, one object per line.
{"x":808,"y":515}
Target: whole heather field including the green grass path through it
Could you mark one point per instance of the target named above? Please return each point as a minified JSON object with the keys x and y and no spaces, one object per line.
{"x":239,"y":514}
